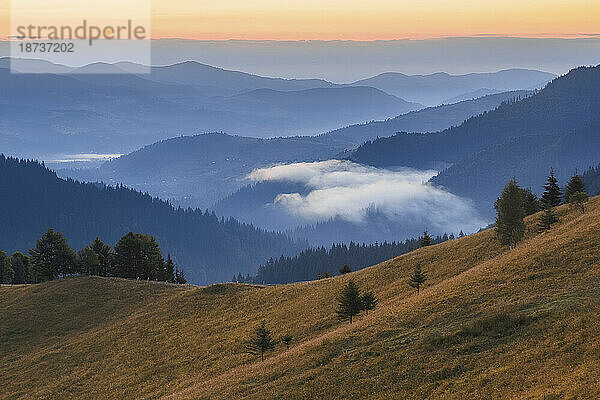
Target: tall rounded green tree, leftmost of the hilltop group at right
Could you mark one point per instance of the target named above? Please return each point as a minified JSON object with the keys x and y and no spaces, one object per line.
{"x":510,"y":227}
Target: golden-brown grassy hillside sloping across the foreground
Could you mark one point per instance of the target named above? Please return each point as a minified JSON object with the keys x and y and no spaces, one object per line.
{"x":489,"y":324}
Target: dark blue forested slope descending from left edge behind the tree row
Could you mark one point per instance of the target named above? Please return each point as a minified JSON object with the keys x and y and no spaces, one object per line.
{"x":209,"y":249}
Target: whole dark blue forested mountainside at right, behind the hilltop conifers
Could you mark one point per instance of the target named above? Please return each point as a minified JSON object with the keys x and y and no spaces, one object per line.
{"x":557,"y":127}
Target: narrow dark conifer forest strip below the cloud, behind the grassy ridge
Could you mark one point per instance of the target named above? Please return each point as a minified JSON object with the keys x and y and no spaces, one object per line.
{"x":321,"y":262}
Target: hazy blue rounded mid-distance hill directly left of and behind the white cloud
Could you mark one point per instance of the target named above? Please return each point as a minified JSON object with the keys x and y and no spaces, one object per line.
{"x":200,"y":170}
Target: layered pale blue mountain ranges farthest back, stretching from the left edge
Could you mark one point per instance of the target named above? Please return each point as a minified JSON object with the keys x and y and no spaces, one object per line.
{"x":101,"y":108}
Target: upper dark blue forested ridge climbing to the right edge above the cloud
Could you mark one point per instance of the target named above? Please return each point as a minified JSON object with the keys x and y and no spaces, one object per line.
{"x":565,"y":104}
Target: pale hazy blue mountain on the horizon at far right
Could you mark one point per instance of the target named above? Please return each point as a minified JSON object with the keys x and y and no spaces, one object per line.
{"x":434,"y":89}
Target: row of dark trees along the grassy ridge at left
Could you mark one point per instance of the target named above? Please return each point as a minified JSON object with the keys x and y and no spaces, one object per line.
{"x":135,"y":256}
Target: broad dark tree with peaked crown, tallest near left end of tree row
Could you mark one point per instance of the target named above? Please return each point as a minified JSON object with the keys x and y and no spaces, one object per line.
{"x":52,"y":257}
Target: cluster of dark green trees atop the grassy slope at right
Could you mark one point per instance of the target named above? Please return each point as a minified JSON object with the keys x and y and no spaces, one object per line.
{"x":516,"y":203}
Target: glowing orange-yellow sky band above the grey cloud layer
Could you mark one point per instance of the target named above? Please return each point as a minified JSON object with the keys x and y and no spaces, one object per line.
{"x":364,"y":20}
